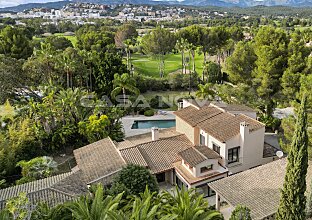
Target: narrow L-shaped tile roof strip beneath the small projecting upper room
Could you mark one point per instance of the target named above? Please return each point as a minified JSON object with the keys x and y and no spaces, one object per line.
{"x":192,"y":179}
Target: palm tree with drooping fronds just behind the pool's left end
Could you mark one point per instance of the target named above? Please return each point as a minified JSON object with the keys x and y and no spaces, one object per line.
{"x":122,"y":83}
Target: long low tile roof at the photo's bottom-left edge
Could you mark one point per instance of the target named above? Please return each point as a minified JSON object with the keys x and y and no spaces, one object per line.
{"x":39,"y":191}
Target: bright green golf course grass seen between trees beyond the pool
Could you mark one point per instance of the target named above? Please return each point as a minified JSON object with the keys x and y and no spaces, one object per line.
{"x":149,"y":66}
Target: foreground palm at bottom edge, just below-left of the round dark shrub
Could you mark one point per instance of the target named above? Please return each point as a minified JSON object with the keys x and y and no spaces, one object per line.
{"x":99,"y":207}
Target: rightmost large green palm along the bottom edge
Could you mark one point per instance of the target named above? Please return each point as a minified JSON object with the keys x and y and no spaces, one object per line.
{"x":188,"y":205}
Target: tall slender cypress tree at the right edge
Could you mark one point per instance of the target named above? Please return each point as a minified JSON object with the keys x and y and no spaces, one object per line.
{"x":293,"y":201}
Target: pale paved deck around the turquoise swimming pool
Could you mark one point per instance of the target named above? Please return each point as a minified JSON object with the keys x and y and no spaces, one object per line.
{"x":128,"y":121}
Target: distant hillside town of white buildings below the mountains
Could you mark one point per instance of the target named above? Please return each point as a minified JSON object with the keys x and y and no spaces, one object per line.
{"x":123,"y":12}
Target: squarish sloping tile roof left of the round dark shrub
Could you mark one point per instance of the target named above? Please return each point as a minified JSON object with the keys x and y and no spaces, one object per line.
{"x":98,"y":159}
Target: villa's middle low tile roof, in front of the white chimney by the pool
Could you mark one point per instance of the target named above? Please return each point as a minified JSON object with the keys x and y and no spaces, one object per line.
{"x":160,"y":155}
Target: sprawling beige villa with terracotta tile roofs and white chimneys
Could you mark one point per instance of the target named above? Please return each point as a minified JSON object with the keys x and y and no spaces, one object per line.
{"x":209,"y":142}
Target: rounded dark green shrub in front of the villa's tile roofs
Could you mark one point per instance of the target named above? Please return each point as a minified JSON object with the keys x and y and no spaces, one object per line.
{"x":135,"y":178}
